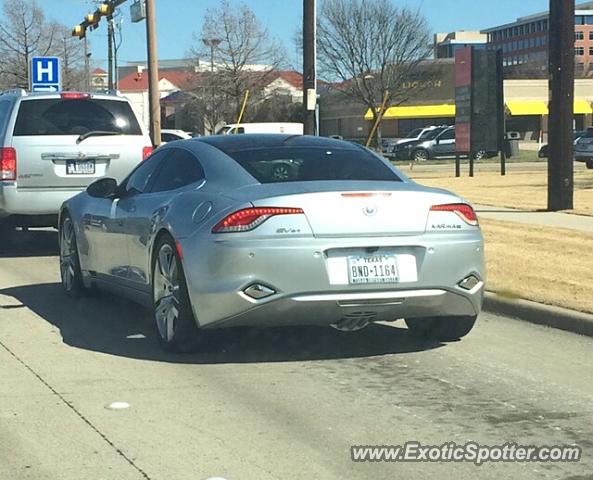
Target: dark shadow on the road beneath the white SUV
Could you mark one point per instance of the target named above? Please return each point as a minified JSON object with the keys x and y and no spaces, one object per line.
{"x":32,"y":243}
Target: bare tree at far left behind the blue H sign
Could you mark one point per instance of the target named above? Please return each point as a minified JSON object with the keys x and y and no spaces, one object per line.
{"x":24,"y":33}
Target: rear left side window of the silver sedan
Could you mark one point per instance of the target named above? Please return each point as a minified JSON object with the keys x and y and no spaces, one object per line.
{"x":181,"y":168}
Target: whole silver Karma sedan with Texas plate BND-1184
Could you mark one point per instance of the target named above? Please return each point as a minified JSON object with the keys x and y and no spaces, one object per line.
{"x":204,"y":234}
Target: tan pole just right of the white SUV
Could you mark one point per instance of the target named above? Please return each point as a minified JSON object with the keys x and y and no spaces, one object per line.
{"x":153,"y":77}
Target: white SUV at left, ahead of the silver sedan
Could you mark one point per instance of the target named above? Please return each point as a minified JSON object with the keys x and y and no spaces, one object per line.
{"x":52,"y":146}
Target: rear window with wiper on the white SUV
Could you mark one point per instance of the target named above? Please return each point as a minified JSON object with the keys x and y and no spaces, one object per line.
{"x":75,"y":117}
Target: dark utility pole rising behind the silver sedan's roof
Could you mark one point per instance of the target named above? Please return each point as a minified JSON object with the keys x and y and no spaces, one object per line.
{"x":309,"y":66}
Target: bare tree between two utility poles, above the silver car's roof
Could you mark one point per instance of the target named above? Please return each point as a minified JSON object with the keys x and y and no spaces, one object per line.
{"x":245,"y":54}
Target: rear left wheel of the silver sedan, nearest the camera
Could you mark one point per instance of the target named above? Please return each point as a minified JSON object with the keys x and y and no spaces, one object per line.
{"x":175,"y":324}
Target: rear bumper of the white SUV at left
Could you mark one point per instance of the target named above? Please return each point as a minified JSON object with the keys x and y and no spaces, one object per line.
{"x":32,"y":201}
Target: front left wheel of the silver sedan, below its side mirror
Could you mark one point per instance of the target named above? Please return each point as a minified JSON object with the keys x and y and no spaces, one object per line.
{"x":70,"y":271}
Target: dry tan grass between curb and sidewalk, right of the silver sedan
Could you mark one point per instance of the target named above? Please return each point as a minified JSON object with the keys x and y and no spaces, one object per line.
{"x":547,"y":265}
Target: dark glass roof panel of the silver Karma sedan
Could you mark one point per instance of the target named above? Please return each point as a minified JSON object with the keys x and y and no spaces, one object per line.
{"x":230,"y":143}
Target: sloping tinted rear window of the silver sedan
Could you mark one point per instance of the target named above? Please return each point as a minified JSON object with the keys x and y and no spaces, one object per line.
{"x":304,"y":164}
